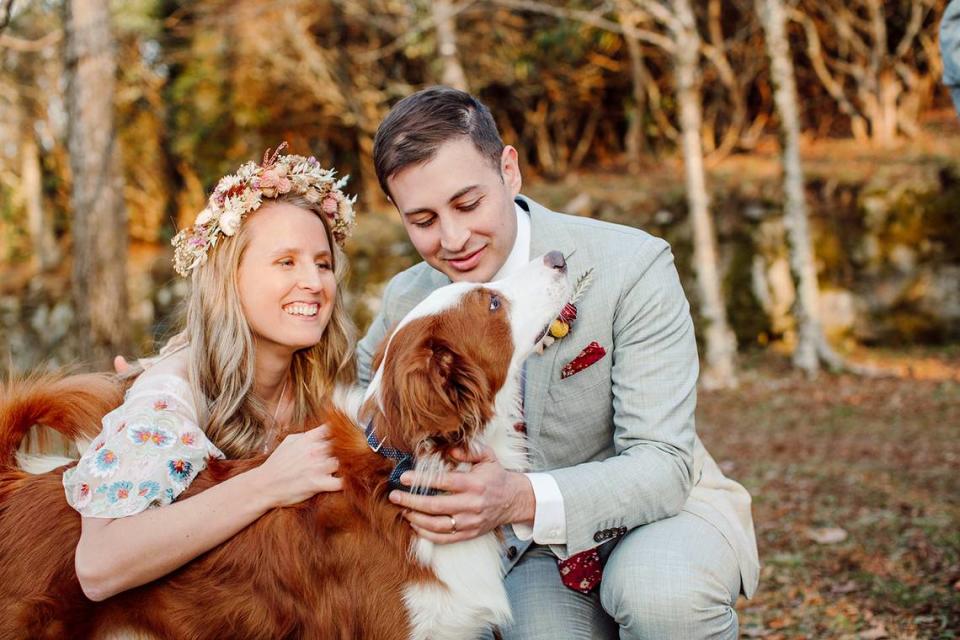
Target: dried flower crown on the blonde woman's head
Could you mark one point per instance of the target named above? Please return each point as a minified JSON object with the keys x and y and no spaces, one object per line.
{"x":243,"y":192}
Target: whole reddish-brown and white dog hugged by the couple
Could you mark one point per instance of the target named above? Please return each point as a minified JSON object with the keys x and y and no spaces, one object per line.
{"x":339,"y":565}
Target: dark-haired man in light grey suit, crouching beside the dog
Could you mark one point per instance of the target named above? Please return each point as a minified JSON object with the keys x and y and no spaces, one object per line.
{"x":627,"y":528}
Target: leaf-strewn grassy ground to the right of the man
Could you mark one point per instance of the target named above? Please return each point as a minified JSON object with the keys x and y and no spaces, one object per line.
{"x":869,"y":467}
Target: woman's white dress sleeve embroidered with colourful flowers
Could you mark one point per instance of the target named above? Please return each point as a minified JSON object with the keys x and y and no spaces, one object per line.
{"x":150,"y":450}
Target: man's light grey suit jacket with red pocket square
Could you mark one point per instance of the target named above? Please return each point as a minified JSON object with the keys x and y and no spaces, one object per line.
{"x":619,"y":436}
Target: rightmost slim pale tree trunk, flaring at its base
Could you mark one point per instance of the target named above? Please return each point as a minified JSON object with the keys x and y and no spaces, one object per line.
{"x":811,"y":342}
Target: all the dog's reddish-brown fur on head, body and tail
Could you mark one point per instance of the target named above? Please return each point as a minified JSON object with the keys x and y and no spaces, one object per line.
{"x":334,"y":566}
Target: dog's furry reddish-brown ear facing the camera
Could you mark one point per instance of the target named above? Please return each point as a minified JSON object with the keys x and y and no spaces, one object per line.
{"x":429,"y":389}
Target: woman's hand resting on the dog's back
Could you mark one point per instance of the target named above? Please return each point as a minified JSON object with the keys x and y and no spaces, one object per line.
{"x":300,"y":467}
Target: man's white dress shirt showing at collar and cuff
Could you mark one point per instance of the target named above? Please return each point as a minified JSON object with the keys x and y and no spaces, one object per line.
{"x":549,"y":519}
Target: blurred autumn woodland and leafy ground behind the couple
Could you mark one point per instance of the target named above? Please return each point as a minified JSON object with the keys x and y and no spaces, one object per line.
{"x":801,"y":157}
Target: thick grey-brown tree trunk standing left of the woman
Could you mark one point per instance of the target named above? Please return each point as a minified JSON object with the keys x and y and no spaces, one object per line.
{"x":100,"y":224}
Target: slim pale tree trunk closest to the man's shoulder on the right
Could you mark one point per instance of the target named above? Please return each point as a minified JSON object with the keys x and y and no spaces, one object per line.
{"x":721,"y":344}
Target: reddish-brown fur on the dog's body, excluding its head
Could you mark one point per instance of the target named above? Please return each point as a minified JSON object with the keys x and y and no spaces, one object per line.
{"x":295,"y":573}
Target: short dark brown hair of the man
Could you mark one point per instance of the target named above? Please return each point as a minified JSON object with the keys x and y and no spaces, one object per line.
{"x":420,"y":123}
